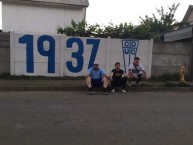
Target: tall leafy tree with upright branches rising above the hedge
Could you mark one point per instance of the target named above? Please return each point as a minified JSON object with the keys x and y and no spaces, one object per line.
{"x":156,"y":25}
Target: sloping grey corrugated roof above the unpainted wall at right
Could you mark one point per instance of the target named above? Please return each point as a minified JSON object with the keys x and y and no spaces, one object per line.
{"x":179,"y":34}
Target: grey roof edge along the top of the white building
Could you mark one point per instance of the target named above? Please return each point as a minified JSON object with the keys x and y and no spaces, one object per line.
{"x":84,"y":3}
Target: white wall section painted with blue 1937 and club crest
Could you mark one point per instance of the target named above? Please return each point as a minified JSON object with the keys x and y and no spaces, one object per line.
{"x":59,"y":55}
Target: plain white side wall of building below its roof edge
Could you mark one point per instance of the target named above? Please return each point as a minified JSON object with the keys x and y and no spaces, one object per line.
{"x":38,"y":19}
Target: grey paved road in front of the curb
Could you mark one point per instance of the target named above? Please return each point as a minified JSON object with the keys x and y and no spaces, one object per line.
{"x":67,"y":118}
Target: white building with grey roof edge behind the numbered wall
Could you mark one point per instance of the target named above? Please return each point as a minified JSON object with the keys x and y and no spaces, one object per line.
{"x":41,"y":16}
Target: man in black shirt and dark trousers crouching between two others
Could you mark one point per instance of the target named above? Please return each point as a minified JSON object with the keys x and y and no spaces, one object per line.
{"x":118,"y":78}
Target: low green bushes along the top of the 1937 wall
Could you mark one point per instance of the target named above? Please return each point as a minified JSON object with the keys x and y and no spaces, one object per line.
{"x":122,"y":31}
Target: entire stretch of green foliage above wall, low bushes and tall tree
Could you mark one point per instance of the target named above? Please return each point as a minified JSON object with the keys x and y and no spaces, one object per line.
{"x":151,"y":27}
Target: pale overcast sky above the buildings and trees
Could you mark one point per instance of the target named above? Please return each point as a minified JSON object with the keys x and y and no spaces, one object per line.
{"x":120,"y":11}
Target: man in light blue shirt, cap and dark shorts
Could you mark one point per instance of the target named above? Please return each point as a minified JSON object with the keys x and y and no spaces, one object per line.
{"x":96,"y":77}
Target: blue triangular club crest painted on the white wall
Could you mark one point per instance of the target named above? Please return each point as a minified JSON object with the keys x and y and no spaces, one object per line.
{"x":129,"y":48}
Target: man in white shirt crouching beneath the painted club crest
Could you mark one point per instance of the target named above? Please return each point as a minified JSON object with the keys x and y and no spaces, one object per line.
{"x":137,"y":71}
